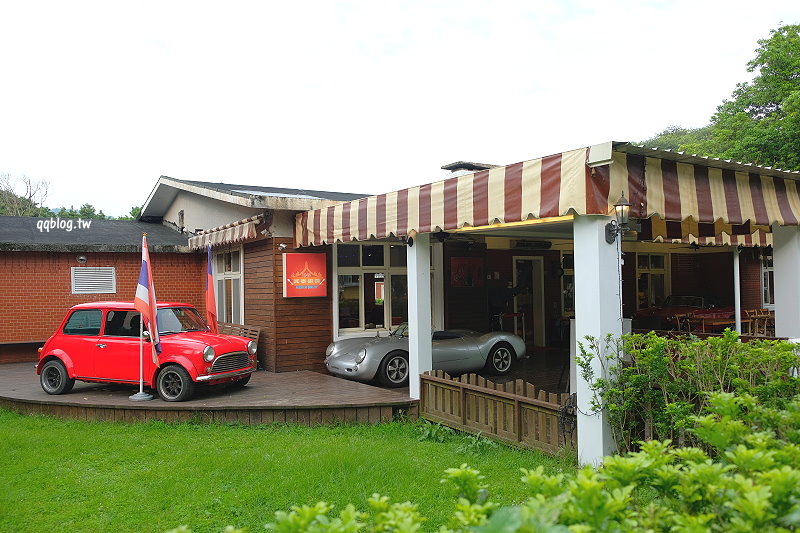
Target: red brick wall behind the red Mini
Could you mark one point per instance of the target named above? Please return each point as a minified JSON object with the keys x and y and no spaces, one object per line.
{"x":36,"y":289}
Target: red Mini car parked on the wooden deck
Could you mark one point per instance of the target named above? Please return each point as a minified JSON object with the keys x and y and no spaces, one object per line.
{"x":99,"y":343}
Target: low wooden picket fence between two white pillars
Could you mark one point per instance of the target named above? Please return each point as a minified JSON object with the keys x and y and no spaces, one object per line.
{"x":514,"y":412}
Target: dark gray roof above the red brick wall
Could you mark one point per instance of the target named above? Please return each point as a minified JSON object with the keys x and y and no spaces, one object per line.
{"x":54,"y":235}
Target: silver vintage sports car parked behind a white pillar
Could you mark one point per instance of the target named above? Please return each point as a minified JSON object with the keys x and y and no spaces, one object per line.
{"x":385,"y":359}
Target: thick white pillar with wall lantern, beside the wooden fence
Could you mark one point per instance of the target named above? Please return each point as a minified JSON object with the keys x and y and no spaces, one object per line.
{"x":598,"y":312}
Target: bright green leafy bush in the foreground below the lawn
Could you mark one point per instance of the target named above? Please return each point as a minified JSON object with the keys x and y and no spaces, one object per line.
{"x":752,"y":484}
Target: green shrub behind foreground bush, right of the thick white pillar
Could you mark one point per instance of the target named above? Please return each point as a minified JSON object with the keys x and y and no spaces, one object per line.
{"x":654,"y":385}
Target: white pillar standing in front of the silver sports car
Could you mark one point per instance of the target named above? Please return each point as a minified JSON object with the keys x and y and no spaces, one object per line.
{"x":419,"y":311}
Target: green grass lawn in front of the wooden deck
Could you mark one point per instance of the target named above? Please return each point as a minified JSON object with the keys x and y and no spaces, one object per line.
{"x":66,"y":475}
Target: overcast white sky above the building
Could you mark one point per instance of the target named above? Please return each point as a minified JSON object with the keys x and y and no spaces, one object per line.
{"x":101,"y":98}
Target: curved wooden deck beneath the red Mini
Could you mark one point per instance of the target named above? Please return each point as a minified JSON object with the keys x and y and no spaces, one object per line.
{"x":302,"y":397}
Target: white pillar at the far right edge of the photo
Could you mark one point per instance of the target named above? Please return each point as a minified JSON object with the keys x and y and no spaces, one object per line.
{"x":786,"y":260}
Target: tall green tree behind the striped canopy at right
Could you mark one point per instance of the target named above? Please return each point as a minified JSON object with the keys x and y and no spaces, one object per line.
{"x":761,"y":122}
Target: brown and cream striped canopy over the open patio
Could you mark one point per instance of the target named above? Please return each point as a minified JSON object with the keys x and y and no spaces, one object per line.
{"x":693,"y":197}
